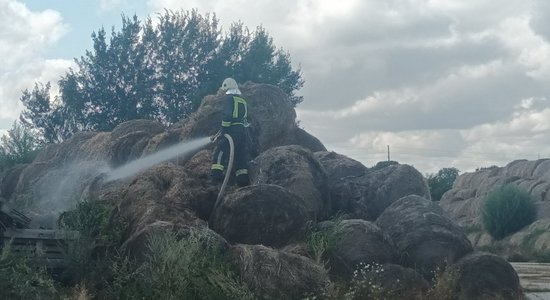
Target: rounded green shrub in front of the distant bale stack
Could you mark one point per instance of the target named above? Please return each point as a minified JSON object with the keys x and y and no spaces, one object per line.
{"x":506,"y":210}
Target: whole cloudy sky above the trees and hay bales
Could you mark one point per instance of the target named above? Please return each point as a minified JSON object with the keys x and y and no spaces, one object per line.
{"x":443,"y":83}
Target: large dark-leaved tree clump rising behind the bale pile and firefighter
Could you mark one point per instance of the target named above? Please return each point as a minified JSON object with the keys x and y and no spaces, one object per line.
{"x":155,"y":70}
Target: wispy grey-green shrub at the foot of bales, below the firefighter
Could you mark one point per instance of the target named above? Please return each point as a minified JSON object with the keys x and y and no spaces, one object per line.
{"x":176,"y":267}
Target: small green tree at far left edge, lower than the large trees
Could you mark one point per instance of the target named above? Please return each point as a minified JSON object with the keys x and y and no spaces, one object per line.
{"x":20,"y":145}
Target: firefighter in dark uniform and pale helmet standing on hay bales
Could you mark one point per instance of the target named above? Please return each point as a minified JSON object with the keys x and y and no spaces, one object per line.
{"x":234,"y":115}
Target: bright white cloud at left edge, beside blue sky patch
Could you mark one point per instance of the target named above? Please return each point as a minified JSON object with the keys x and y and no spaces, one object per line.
{"x":24,"y":35}
